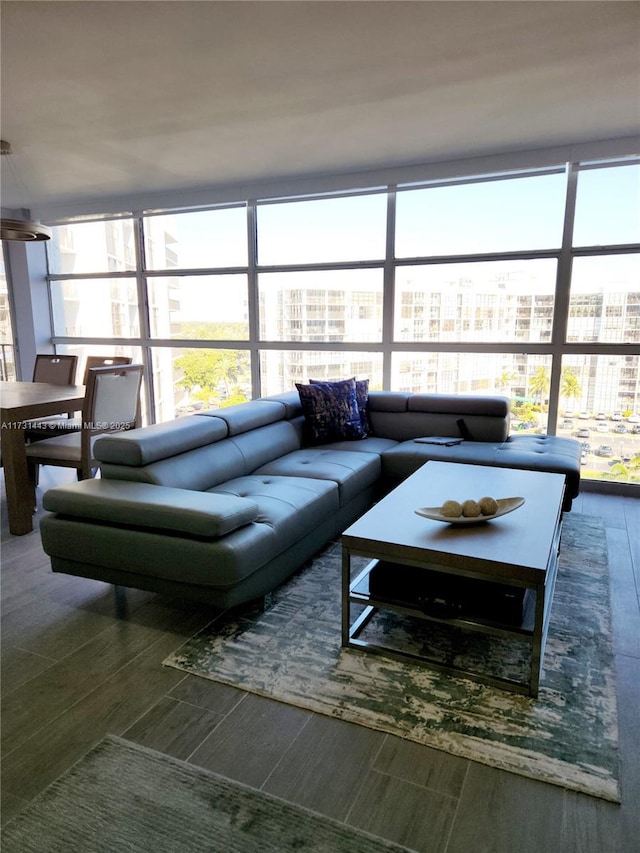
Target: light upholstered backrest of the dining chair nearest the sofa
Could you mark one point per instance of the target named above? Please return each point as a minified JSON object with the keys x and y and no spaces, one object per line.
{"x":112,"y":399}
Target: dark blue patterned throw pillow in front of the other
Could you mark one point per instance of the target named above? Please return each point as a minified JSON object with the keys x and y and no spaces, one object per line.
{"x":331,"y":410}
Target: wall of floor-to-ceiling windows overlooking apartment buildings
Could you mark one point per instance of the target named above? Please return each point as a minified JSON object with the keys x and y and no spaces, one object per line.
{"x":525,"y":284}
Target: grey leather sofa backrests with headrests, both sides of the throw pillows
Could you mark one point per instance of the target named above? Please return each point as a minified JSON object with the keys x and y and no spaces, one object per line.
{"x":203,"y":450}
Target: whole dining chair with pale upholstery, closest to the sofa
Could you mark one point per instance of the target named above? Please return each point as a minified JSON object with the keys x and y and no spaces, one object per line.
{"x":111,"y":404}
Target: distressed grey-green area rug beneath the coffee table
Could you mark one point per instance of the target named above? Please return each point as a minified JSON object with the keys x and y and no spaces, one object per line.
{"x":567,"y":736}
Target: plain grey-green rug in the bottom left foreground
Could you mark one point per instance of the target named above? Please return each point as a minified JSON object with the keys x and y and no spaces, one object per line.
{"x":124,"y":797}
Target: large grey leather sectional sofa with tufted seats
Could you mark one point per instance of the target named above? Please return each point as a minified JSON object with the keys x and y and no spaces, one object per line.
{"x":223,"y":506}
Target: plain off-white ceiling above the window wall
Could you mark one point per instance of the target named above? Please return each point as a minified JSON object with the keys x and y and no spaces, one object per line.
{"x":104,"y":100}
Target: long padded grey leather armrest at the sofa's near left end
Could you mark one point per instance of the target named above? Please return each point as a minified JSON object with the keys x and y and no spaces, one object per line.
{"x":201,"y":514}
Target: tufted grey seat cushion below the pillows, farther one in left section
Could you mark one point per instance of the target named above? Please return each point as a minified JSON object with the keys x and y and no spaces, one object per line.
{"x":352,"y":471}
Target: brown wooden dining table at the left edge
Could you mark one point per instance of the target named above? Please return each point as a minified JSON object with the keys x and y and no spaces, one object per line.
{"x":20,"y":402}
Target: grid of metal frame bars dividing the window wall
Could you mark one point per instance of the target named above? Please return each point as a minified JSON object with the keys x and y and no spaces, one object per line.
{"x":387,"y":348}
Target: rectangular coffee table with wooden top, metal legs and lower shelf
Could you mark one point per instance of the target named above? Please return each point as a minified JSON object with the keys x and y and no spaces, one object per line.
{"x":519,"y":549}
